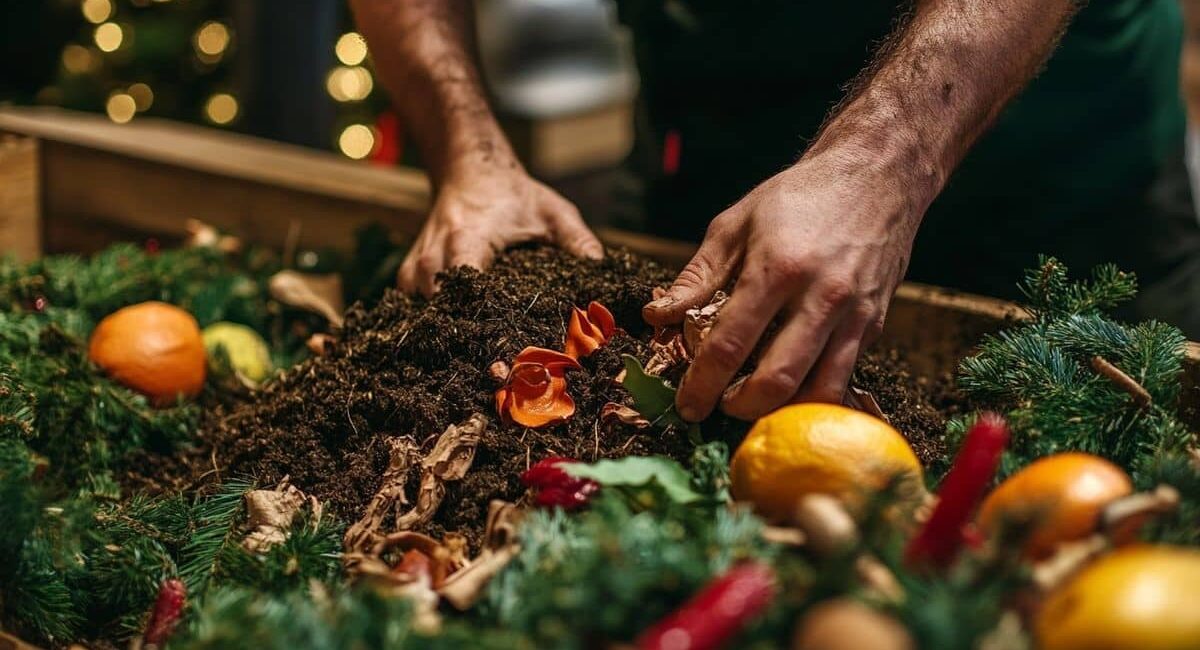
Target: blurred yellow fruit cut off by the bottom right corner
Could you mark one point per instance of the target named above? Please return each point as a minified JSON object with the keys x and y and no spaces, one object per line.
{"x":1138,"y":598}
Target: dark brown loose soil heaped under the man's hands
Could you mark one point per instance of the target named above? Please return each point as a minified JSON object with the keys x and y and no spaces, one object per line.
{"x":410,"y":368}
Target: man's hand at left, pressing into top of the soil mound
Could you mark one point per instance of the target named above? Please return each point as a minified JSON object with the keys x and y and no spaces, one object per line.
{"x":493,"y":208}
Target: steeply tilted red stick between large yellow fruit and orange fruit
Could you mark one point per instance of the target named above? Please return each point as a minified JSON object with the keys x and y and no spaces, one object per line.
{"x":939,"y":541}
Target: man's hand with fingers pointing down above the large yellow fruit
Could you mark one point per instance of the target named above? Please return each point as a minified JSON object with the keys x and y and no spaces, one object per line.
{"x":818,"y":249}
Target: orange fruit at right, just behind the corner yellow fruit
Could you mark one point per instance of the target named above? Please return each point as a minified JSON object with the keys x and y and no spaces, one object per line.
{"x":1060,"y":497}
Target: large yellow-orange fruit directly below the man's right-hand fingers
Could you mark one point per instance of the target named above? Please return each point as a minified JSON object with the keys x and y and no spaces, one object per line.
{"x":807,"y":449}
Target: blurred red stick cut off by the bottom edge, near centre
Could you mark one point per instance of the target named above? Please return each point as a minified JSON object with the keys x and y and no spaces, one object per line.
{"x":717,"y":613}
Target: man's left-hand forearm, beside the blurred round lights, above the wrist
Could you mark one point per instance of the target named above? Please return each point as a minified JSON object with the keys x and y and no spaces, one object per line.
{"x":423,"y":53}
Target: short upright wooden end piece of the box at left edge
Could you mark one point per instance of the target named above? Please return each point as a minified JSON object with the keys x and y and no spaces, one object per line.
{"x":21,"y":213}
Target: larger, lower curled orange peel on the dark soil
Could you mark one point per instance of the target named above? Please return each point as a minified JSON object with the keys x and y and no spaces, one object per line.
{"x":536,"y":393}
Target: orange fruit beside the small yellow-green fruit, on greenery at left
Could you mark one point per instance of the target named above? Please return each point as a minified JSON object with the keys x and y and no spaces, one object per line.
{"x":153,"y":348}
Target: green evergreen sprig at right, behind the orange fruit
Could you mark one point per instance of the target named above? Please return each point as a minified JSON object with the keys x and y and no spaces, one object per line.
{"x":1043,"y":374}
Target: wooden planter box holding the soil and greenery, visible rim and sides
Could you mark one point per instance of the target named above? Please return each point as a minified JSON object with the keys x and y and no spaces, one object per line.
{"x":76,"y":183}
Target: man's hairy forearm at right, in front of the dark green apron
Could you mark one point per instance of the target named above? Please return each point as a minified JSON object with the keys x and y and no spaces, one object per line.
{"x":937,"y":86}
